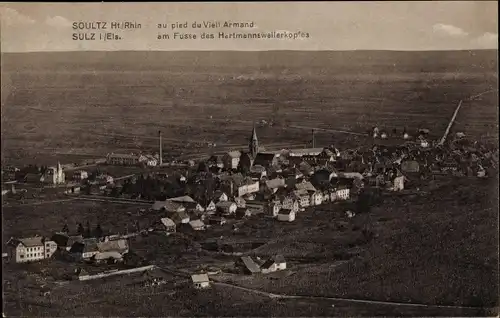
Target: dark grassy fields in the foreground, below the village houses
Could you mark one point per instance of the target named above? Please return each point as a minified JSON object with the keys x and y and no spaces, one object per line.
{"x":434,"y":249}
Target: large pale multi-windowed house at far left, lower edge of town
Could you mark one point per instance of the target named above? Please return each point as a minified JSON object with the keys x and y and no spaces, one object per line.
{"x":30,"y":249}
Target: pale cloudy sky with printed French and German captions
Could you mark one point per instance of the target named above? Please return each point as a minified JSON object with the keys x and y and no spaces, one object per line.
{"x":412,"y":25}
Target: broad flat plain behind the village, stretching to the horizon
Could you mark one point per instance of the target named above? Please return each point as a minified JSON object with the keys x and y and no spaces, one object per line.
{"x":88,"y":104}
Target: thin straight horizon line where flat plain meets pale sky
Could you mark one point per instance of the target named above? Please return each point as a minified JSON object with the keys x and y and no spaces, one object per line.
{"x":249,"y":51}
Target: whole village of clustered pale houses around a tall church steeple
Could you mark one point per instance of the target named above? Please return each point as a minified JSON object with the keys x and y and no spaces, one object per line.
{"x":210,"y":201}
